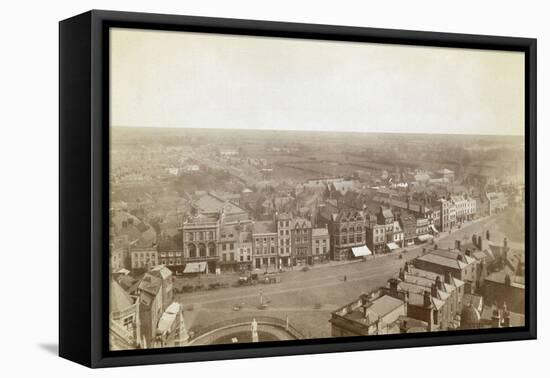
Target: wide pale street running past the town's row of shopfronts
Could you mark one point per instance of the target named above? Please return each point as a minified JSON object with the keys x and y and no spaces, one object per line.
{"x":308,"y":298}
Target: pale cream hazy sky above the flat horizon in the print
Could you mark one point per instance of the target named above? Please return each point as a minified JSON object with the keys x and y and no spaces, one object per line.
{"x":180,"y":79}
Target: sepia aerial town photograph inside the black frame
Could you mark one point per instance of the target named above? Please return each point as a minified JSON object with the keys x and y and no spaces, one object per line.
{"x":264,"y":189}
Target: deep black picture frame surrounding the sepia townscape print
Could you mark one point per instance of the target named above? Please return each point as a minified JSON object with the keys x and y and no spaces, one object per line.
{"x":84,"y":186}
